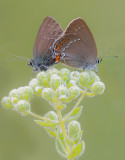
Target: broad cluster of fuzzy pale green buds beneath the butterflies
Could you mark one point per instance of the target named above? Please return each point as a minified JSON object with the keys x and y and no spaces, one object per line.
{"x":56,"y":86}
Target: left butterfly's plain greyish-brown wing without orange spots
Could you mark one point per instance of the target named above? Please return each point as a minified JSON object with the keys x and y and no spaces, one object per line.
{"x":48,"y":32}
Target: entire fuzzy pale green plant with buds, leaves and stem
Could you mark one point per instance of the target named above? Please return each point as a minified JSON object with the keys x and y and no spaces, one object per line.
{"x":58,"y":87}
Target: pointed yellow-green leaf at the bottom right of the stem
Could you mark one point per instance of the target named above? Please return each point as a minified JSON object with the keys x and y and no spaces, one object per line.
{"x":77,"y":150}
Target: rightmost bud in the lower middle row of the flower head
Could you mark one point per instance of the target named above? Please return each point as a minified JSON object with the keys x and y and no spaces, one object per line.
{"x":73,"y":93}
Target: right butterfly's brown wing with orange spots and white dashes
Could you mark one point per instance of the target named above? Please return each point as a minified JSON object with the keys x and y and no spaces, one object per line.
{"x":77,"y":45}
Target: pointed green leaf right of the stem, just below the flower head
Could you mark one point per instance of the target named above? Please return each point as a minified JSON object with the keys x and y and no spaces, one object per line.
{"x":74,"y":115}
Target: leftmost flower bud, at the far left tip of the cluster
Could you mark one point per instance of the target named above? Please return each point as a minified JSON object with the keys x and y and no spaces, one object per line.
{"x":6,"y":103}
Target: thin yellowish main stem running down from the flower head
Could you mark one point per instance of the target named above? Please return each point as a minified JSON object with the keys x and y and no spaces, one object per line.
{"x":63,"y":130}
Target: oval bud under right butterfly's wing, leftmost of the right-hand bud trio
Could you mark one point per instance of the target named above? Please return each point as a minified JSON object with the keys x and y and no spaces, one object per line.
{"x":84,"y":79}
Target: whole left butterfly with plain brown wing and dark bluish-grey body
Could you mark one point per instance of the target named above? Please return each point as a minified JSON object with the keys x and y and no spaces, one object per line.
{"x":47,"y":35}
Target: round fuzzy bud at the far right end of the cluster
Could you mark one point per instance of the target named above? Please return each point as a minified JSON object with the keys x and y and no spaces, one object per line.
{"x":98,"y":87}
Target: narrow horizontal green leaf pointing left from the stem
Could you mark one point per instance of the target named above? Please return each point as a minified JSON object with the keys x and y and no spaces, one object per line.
{"x":46,"y":124}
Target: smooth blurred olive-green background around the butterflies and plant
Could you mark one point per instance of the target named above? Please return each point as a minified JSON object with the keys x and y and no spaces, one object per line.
{"x":103,"y":116}
